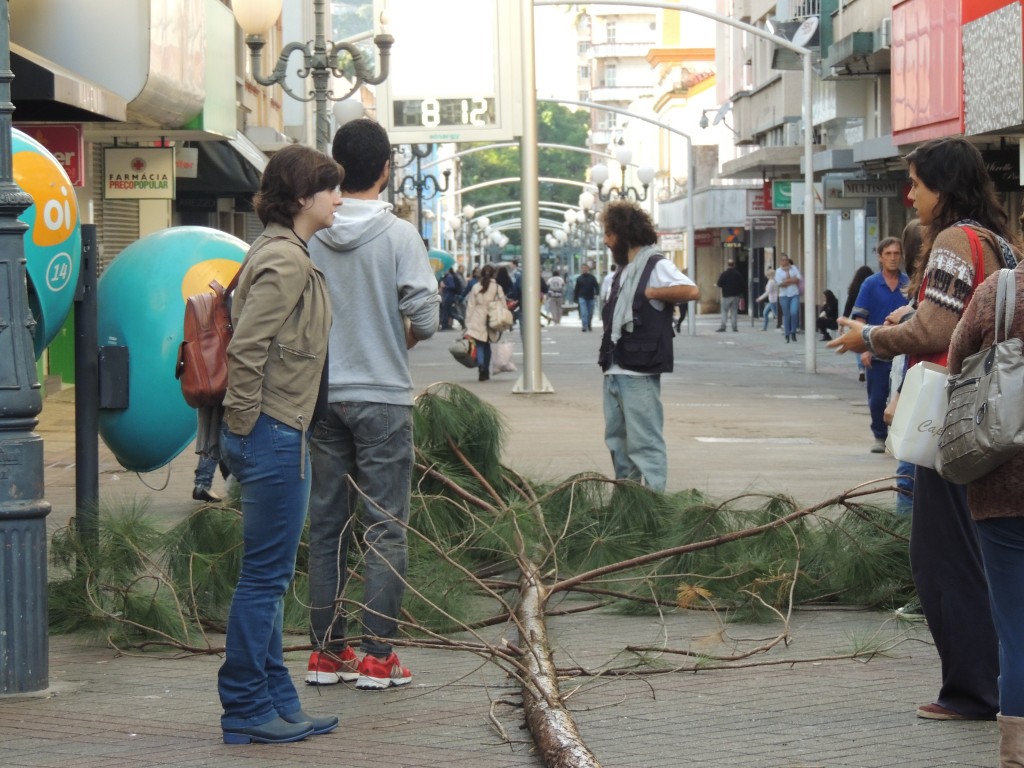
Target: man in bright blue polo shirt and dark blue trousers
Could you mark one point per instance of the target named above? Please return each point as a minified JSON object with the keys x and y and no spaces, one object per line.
{"x":881,"y":294}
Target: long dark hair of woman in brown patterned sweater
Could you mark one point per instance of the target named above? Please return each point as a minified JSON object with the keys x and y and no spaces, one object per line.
{"x":954,"y":168}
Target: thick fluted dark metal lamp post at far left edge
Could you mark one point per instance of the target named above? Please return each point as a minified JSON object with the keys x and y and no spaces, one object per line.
{"x":24,"y":643}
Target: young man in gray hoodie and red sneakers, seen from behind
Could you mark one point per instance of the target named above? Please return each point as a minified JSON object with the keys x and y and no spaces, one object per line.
{"x":385,"y":300}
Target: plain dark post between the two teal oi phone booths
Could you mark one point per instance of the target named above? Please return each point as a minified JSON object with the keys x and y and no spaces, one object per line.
{"x":88,"y":398}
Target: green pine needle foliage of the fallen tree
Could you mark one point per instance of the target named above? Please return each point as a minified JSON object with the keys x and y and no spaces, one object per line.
{"x":476,"y":522}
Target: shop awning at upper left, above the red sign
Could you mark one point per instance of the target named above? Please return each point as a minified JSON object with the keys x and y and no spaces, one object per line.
{"x":44,"y":92}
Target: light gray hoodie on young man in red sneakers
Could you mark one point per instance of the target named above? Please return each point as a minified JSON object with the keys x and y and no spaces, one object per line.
{"x":378,"y":276}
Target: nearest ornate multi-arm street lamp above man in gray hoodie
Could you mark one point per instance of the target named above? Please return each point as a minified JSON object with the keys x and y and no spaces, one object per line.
{"x":319,"y":62}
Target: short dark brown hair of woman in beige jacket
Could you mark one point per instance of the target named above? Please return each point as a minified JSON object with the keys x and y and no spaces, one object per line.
{"x":292,"y":175}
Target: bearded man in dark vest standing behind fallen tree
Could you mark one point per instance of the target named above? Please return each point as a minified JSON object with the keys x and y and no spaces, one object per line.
{"x":636,"y":348}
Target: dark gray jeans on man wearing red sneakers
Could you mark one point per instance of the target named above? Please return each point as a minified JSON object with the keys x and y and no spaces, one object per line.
{"x":362,"y":451}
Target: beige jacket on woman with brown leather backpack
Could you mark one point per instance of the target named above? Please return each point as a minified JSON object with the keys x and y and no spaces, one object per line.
{"x":282,"y":319}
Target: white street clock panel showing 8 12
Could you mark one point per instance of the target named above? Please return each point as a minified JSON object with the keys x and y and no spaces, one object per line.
{"x":456,"y":71}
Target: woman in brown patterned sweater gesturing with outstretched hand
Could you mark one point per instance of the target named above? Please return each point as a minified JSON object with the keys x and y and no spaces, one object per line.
{"x":967,"y":237}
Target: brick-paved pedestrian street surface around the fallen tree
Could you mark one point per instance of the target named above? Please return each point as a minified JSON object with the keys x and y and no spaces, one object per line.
{"x":741,"y":415}
